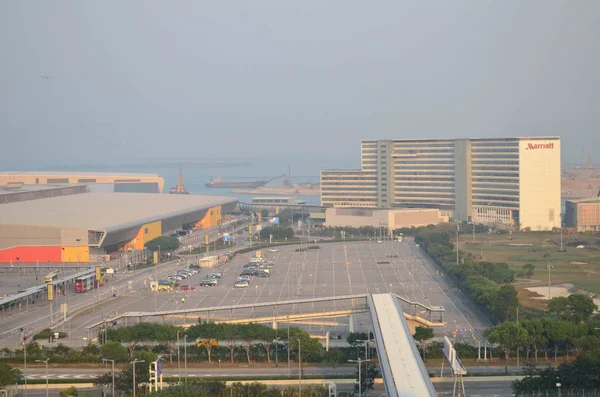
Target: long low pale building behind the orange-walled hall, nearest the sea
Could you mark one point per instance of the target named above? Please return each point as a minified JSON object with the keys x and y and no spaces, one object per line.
{"x":120,"y":182}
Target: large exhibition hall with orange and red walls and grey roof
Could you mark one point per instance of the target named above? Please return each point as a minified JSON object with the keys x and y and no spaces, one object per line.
{"x":73,"y":224}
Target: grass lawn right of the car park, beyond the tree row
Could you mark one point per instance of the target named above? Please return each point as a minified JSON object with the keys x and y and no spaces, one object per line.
{"x":577,"y":266}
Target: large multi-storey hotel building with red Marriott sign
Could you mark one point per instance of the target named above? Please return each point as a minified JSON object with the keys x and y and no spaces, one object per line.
{"x":513,"y":181}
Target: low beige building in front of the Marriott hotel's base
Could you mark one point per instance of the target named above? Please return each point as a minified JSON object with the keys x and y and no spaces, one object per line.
{"x":391,"y":219}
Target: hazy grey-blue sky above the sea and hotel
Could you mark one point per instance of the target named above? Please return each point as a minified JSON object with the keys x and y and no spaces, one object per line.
{"x":136,"y":80}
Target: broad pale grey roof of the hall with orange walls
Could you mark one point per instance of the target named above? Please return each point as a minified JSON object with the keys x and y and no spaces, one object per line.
{"x":104,"y":210}
